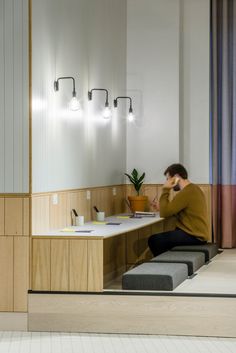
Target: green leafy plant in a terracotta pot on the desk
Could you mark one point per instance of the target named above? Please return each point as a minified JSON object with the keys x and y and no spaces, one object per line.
{"x":138,"y":202}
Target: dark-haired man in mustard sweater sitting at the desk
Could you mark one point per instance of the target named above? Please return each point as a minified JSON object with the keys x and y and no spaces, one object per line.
{"x":189,"y":208}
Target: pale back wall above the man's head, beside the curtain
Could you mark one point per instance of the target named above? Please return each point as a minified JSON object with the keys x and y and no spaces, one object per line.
{"x":168,"y":50}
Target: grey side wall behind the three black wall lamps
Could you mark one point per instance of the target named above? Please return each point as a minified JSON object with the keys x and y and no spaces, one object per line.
{"x":85,"y":39}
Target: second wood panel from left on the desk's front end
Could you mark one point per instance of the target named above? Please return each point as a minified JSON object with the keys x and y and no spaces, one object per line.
{"x":59,"y":265}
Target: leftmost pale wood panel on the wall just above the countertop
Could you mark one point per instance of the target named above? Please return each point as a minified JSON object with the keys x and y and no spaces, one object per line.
{"x":40,"y":214}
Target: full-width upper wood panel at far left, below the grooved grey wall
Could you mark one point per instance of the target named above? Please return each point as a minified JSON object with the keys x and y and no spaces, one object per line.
{"x":13,"y":216}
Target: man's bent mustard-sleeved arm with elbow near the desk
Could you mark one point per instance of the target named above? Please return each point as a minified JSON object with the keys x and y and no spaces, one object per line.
{"x":171,"y":208}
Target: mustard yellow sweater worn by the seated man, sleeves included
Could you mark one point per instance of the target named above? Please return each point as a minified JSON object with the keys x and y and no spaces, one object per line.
{"x":189,"y":207}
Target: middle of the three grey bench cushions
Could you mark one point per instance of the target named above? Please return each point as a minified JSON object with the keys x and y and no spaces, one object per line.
{"x":194,"y":260}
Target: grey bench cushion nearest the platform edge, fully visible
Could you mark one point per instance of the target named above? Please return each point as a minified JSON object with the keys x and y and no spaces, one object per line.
{"x":155,"y":276}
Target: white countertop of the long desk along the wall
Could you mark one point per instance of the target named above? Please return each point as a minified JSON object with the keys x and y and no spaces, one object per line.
{"x":102,"y":230}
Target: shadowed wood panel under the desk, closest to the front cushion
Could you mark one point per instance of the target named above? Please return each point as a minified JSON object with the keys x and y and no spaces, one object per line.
{"x":114,"y":258}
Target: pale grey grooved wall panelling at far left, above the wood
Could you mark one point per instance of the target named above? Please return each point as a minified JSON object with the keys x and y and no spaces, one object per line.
{"x":14,"y":114}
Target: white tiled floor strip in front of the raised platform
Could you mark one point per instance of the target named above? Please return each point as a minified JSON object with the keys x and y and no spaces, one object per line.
{"x":45,"y":342}
